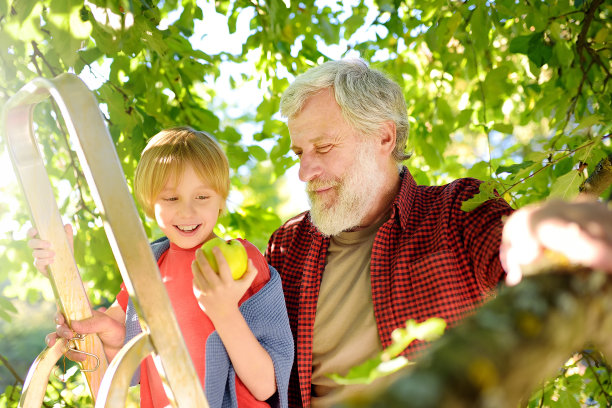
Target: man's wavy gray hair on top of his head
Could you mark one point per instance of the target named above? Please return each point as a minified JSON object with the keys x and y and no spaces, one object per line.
{"x":366,"y":97}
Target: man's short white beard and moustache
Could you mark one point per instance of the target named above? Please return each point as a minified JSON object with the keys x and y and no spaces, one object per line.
{"x":355,"y":194}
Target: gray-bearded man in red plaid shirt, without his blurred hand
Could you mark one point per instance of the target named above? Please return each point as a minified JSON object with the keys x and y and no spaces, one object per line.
{"x":375,"y":249}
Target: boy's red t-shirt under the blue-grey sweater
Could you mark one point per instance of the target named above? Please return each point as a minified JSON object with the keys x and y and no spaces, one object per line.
{"x":175,"y":269}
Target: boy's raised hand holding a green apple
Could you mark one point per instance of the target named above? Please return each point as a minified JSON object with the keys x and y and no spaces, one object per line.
{"x":218,"y":293}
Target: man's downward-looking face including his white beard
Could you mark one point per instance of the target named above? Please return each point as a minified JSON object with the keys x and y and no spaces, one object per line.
{"x":339,"y":167}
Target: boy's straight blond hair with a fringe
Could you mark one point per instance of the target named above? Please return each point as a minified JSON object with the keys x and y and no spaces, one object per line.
{"x":168,"y":153}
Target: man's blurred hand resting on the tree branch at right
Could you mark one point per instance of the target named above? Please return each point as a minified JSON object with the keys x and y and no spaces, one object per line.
{"x":575,"y":233}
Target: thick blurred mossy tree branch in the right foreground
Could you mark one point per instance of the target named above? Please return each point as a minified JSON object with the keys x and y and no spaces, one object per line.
{"x":497,"y":357}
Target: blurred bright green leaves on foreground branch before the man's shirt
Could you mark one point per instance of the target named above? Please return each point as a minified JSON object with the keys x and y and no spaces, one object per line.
{"x":389,"y":361}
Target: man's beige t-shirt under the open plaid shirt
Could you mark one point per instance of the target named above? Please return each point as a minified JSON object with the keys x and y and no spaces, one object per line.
{"x":345,"y":333}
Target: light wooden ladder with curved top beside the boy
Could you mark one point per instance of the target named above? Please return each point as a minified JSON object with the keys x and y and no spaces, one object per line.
{"x":161,"y":335}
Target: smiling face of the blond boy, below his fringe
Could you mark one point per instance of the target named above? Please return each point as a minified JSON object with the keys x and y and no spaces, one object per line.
{"x":187,"y":211}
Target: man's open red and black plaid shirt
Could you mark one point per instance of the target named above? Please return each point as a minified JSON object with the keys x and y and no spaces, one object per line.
{"x":430,"y":259}
